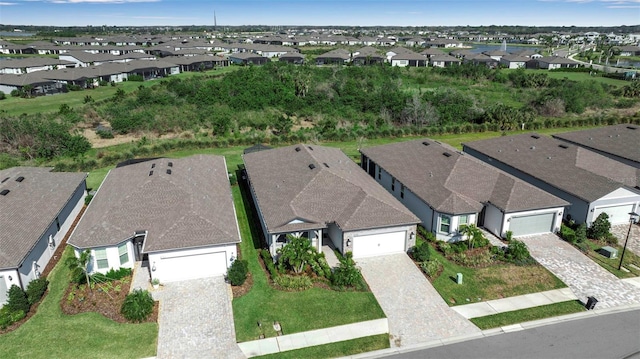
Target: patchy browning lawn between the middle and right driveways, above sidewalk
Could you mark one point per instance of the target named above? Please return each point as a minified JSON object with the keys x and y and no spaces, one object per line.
{"x":492,"y":282}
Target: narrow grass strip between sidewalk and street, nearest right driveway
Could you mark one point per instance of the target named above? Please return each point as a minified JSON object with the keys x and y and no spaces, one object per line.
{"x":529,"y":314}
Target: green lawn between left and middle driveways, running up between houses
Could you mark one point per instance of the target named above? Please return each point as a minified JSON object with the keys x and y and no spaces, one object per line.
{"x":311,"y":309}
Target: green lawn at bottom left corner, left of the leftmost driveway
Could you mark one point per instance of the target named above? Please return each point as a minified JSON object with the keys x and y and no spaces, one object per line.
{"x":52,"y":334}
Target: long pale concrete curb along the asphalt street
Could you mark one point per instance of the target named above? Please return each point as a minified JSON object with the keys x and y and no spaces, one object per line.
{"x":492,"y":332}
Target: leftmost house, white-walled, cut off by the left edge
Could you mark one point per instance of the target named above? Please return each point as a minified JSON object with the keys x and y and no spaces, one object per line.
{"x":38,"y":208}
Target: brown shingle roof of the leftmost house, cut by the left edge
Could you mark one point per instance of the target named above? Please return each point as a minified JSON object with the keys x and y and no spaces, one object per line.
{"x":30,"y":207}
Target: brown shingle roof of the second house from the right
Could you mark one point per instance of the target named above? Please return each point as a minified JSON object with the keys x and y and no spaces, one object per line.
{"x":560,"y":164}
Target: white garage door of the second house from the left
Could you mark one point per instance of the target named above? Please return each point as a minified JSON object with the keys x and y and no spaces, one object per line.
{"x":193,"y":266}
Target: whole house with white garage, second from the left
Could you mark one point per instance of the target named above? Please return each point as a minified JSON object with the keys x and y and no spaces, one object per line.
{"x":176,"y":216}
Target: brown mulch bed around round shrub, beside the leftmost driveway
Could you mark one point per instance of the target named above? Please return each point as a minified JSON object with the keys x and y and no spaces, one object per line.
{"x":104,"y":298}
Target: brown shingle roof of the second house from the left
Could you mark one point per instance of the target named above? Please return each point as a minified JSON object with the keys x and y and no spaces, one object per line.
{"x":191,"y":207}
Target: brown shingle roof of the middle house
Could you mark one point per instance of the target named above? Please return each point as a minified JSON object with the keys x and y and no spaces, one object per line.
{"x":319,"y":185}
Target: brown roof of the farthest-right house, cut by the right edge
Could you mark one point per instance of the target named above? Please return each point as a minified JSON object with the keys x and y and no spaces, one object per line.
{"x":619,"y":142}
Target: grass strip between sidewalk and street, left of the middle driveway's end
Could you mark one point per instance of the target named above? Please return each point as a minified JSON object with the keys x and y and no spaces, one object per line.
{"x":335,"y":350}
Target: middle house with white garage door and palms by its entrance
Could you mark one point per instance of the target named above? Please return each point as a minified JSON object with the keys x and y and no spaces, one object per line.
{"x":319,"y":193}
